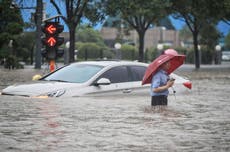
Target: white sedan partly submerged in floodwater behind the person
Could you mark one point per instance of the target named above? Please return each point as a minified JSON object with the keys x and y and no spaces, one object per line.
{"x":97,"y":78}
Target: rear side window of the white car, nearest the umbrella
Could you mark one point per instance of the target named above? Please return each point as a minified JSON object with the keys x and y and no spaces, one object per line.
{"x":137,"y":72}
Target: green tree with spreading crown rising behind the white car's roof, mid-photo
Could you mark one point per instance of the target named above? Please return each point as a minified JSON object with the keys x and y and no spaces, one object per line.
{"x":139,"y":15}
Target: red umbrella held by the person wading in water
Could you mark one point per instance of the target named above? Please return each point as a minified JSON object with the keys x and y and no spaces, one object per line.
{"x":169,"y":55}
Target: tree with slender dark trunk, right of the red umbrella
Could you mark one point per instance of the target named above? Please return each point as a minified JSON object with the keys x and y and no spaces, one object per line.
{"x":196,"y":14}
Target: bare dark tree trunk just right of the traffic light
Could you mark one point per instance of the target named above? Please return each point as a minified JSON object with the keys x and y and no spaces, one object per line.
{"x":72,"y":44}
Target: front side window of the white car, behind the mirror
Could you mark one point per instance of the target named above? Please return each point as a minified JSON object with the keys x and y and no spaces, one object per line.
{"x":116,"y":74}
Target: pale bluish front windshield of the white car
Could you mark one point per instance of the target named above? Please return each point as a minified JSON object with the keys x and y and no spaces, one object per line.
{"x":79,"y":73}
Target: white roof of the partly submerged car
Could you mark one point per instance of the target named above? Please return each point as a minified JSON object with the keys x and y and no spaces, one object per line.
{"x":111,"y":63}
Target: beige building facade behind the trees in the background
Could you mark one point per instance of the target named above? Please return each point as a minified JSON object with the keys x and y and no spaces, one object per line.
{"x":153,"y":37}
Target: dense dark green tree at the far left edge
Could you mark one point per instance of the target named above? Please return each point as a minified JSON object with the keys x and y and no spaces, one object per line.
{"x":10,"y":29}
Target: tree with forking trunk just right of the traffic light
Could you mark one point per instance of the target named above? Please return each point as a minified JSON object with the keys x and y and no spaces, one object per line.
{"x":74,"y":12}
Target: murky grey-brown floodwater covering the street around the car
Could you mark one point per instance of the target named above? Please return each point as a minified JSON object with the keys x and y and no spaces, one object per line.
{"x":195,"y":121}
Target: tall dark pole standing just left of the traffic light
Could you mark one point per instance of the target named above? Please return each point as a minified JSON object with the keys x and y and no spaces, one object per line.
{"x":38,"y":21}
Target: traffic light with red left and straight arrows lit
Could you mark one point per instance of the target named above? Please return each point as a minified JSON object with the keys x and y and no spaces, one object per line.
{"x":51,"y":41}
